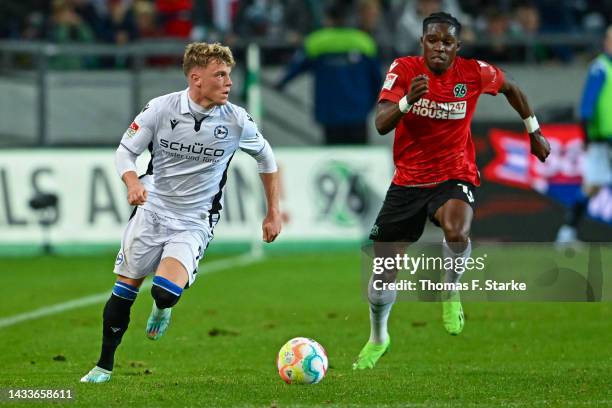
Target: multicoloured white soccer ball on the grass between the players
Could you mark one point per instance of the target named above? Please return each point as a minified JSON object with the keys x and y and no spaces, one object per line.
{"x":302,"y":361}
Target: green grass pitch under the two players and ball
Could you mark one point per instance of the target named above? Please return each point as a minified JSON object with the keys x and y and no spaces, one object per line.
{"x":221,"y":347}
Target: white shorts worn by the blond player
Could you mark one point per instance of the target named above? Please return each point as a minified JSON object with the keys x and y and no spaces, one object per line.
{"x":150,"y":237}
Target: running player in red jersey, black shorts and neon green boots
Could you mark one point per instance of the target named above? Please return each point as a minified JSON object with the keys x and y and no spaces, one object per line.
{"x":430,"y":100}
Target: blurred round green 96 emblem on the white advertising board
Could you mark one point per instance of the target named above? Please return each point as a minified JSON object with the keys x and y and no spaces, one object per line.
{"x":341,"y":194}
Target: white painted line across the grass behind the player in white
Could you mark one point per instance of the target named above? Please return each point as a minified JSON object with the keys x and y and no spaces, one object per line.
{"x":207,"y":267}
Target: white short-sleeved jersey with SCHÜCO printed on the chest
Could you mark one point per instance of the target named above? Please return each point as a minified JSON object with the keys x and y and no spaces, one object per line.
{"x":190,"y":155}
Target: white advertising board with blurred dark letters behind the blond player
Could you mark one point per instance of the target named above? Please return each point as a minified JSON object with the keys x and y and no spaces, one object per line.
{"x":327,"y":194}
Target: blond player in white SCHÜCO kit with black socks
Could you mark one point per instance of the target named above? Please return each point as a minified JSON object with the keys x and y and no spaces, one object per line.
{"x":192,"y":136}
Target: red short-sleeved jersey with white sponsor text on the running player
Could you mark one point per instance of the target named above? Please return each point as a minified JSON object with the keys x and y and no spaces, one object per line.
{"x":433,"y":141}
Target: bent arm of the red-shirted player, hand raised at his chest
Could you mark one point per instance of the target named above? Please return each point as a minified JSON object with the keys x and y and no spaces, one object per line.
{"x":388,"y":114}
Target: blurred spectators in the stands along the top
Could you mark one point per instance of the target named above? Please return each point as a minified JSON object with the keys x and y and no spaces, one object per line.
{"x":491,"y":27}
